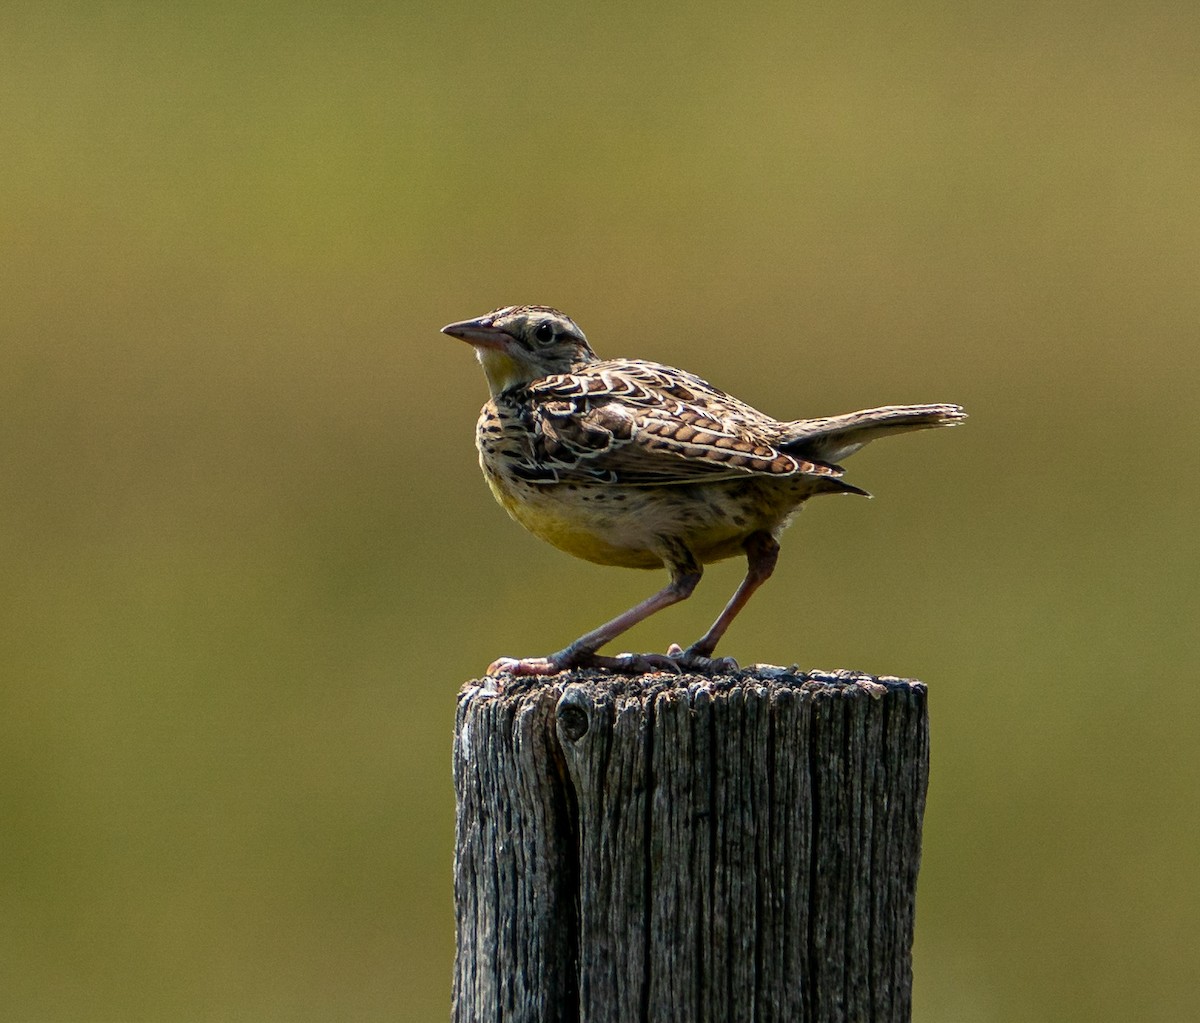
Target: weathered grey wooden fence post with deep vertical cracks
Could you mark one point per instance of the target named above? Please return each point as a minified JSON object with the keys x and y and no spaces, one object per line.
{"x":688,"y":848}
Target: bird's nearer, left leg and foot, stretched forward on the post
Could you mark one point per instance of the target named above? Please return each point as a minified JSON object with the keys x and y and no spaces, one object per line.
{"x":686,"y":573}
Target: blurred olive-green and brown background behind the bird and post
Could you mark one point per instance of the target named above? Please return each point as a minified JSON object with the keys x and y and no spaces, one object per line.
{"x":248,"y":558}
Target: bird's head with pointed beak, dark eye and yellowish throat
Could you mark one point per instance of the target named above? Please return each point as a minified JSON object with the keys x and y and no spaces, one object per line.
{"x":520,"y":344}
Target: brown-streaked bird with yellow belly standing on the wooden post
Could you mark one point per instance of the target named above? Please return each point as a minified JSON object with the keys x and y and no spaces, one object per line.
{"x":634,"y":464}
